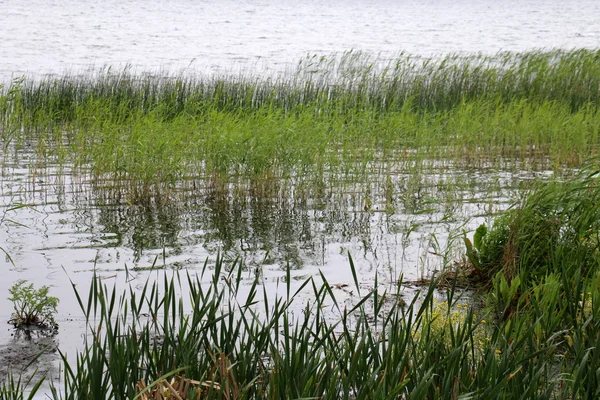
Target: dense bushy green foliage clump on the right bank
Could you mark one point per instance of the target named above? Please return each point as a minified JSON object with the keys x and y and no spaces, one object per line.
{"x":541,"y":260}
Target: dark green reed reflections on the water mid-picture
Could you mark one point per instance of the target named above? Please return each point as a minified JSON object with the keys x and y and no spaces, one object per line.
{"x":281,"y":230}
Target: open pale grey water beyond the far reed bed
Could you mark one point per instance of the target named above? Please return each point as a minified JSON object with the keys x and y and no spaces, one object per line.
{"x":39,"y":37}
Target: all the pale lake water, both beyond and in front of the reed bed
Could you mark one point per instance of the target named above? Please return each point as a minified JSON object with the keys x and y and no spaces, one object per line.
{"x":70,"y":229}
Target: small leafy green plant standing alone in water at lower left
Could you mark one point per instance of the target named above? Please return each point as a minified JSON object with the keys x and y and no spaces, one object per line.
{"x":33,"y":307}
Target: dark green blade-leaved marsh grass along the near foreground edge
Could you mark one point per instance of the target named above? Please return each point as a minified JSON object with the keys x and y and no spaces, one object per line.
{"x":229,"y":339}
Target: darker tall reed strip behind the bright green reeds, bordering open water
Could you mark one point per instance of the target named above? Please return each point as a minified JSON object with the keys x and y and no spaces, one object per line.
{"x":332,"y":86}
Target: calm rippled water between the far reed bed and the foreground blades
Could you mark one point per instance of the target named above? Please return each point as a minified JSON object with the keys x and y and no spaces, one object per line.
{"x":70,"y":228}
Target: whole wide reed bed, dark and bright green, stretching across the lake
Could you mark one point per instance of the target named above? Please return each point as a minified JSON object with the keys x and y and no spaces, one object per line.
{"x":330,"y":117}
